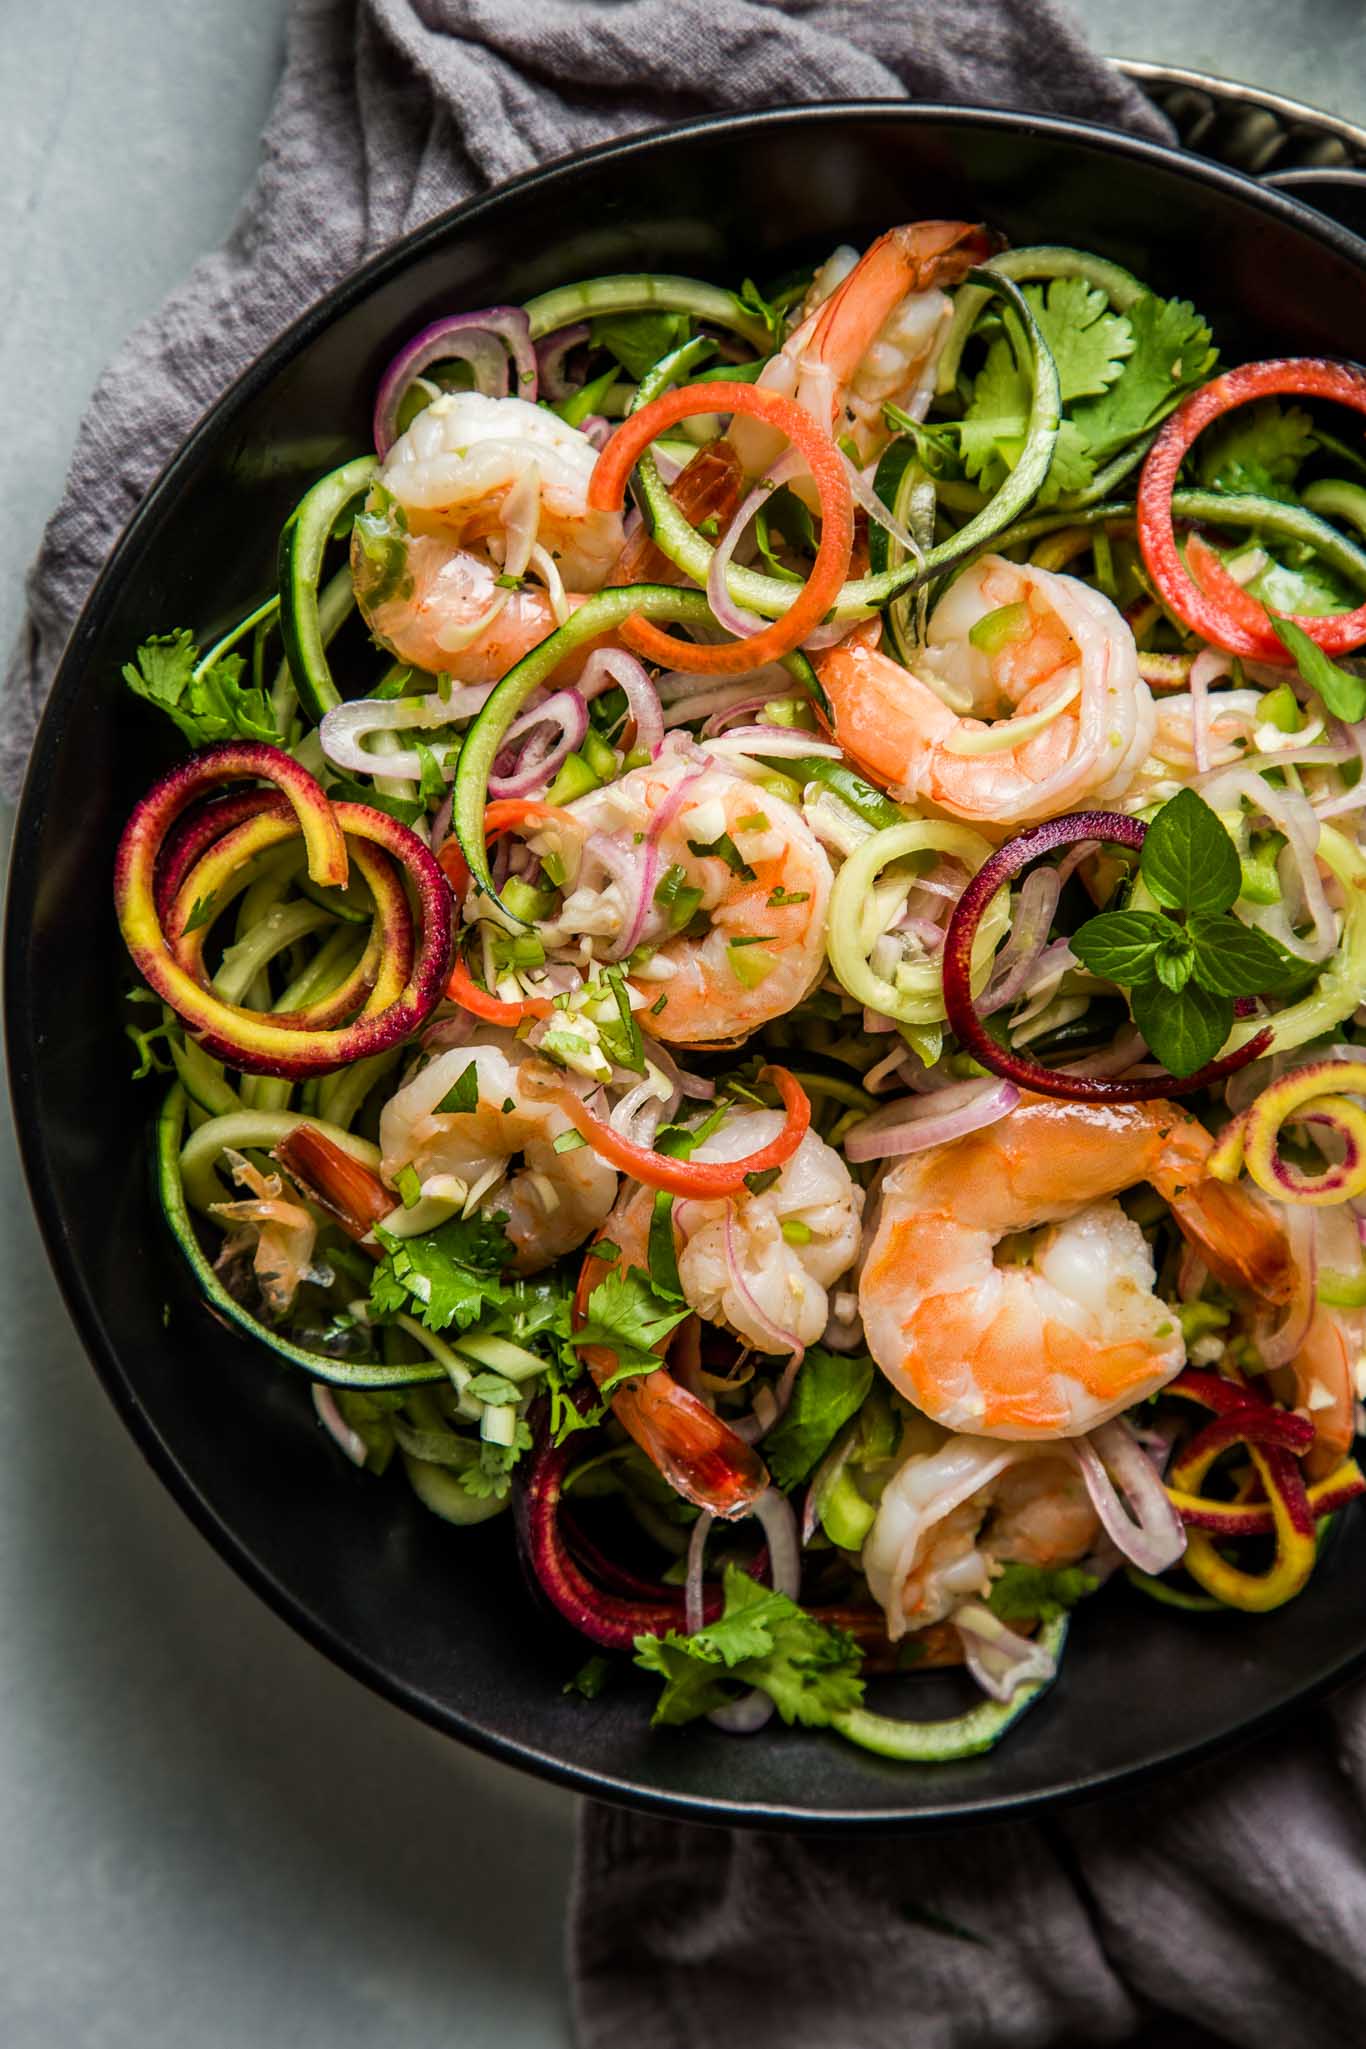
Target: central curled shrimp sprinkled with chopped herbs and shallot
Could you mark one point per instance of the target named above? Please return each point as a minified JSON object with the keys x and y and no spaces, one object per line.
{"x":761,"y":898}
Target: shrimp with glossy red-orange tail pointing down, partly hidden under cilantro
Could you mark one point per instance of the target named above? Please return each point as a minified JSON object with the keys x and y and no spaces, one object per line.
{"x":691,"y":1446}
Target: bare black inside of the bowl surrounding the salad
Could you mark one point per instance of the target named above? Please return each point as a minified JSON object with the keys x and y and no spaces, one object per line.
{"x":435,"y":1618}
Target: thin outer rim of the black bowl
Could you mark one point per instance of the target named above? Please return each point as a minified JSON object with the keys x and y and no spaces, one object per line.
{"x":22,"y":1052}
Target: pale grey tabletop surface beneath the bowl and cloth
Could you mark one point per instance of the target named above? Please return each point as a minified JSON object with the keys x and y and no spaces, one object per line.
{"x":208,"y":1837}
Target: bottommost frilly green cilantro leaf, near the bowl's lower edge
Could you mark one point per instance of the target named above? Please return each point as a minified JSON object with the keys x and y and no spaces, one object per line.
{"x":763,"y":1640}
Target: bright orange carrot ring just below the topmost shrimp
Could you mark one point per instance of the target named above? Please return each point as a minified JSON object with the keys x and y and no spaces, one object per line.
{"x":609,"y":489}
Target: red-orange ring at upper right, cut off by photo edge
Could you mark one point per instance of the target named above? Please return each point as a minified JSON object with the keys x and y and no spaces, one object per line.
{"x":1201,"y":591}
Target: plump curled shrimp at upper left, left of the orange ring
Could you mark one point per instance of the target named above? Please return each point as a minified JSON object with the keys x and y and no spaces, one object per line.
{"x":476,"y":491}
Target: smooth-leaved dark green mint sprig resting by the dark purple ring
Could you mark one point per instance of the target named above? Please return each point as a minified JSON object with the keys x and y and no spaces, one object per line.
{"x":1189,"y":960}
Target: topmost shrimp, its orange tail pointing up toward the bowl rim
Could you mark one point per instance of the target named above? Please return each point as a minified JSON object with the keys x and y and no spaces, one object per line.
{"x":869,"y":337}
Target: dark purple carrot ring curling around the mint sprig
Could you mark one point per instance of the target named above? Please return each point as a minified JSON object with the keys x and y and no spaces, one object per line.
{"x":974,"y":1036}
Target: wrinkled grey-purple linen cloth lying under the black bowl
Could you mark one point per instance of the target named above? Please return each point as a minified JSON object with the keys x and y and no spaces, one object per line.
{"x":1232,"y":1898}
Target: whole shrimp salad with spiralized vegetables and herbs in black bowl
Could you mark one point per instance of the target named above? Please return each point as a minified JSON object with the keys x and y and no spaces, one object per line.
{"x":761,"y":966}
